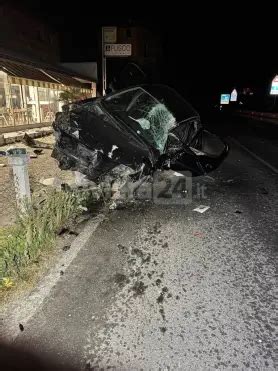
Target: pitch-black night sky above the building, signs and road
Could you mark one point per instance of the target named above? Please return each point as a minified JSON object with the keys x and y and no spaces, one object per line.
{"x":206,"y":50}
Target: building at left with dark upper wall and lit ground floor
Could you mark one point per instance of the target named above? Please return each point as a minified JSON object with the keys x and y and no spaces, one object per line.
{"x":32,"y":83}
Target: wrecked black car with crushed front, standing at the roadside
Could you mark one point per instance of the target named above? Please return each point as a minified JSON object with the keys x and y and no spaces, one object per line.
{"x":144,"y":128}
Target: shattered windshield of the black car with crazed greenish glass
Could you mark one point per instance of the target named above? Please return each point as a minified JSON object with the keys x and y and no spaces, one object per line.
{"x":153,"y":119}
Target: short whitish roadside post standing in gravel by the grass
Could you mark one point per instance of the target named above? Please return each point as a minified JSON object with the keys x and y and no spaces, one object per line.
{"x":18,"y":159}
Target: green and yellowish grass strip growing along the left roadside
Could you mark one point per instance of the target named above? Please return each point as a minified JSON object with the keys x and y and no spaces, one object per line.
{"x":34,"y":232}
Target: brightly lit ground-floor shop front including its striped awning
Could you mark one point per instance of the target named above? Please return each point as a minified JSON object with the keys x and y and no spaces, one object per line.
{"x":26,"y":101}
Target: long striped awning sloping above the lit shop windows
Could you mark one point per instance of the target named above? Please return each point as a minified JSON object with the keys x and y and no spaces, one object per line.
{"x":16,"y":69}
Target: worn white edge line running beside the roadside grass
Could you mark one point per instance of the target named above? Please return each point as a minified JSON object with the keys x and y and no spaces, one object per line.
{"x":23,"y":311}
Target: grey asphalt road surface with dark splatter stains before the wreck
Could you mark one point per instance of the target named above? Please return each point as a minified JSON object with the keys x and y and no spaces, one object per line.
{"x":165,"y":287}
